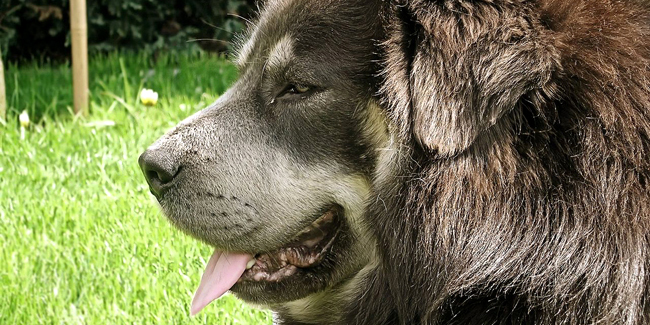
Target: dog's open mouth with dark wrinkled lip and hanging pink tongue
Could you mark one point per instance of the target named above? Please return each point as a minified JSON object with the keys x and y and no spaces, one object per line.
{"x":308,"y":249}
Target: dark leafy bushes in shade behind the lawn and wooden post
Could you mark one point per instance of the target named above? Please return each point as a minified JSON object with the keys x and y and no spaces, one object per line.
{"x":41,"y":28}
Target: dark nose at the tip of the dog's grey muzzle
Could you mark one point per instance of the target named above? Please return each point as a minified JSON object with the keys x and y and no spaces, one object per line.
{"x":159,"y":169}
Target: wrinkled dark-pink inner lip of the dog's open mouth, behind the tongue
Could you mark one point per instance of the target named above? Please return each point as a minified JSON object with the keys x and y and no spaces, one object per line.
{"x":307,"y":250}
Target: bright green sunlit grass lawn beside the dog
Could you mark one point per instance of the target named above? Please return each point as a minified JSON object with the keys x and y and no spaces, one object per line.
{"x":82,"y":240}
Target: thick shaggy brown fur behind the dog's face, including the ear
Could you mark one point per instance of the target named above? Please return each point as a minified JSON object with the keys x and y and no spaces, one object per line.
{"x":521,"y":195}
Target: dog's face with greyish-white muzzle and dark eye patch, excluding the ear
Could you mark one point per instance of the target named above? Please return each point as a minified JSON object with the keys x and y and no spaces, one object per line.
{"x":276,"y":173}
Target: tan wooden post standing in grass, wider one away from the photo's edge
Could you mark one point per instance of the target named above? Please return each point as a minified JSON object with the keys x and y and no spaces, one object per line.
{"x":79,"y":33}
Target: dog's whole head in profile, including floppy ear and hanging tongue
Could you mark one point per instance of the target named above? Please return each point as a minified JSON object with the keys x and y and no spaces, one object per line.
{"x":277,"y":173}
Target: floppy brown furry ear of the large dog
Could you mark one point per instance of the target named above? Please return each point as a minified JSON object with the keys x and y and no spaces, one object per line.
{"x":454,"y":68}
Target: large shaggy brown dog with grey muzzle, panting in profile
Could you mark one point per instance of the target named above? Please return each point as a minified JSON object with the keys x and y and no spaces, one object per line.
{"x":425,"y":162}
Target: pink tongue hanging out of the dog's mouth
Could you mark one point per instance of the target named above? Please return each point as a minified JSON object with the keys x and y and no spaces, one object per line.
{"x":221,"y":273}
